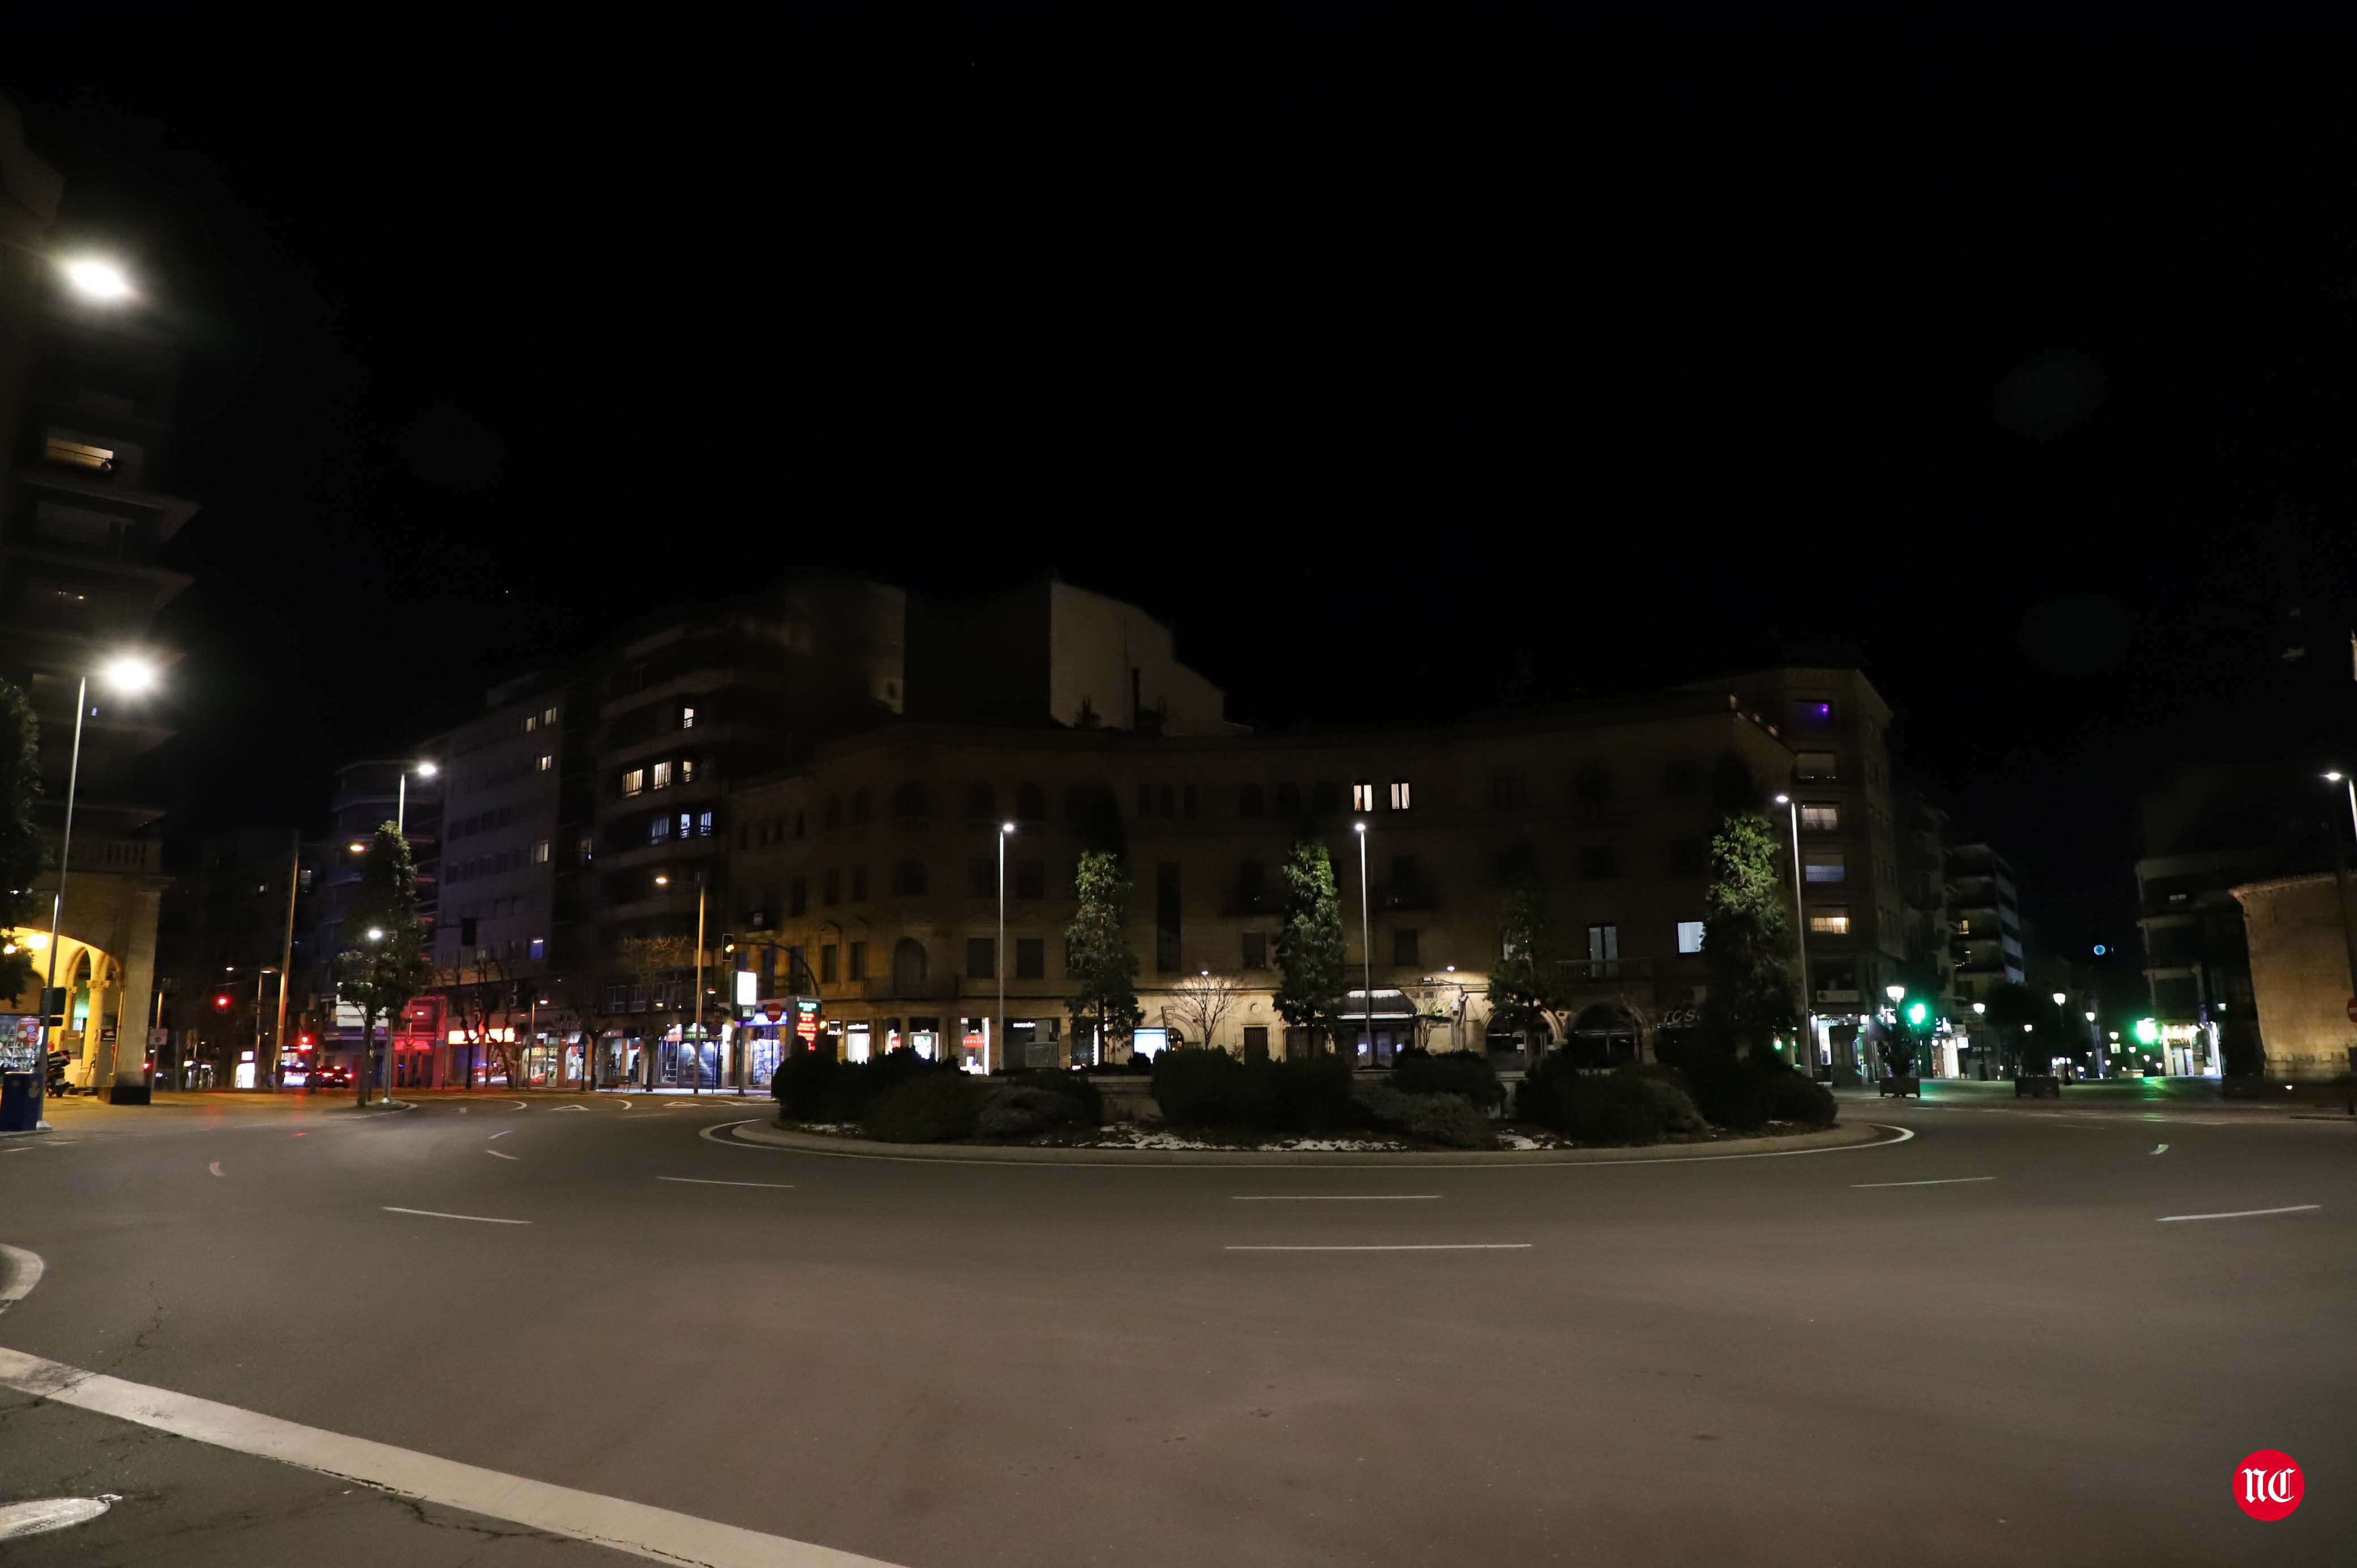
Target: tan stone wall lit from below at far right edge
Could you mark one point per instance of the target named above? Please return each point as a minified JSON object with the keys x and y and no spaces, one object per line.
{"x":2302,"y":975}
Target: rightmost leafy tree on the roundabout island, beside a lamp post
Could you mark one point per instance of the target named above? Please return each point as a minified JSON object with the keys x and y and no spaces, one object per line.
{"x":1745,"y":940}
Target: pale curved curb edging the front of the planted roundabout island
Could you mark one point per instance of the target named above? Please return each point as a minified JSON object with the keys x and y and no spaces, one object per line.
{"x":1830,"y":1140}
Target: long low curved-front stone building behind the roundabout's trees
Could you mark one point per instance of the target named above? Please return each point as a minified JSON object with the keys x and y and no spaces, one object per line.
{"x":869,"y":878}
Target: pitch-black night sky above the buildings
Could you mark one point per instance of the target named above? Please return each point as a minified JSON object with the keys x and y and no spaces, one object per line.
{"x":1404,"y":367}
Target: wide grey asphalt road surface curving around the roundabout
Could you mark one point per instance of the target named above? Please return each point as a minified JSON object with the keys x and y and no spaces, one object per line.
{"x":1743,"y":1362}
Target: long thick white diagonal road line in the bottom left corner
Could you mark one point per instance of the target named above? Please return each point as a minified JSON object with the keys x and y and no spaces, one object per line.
{"x":560,"y":1510}
